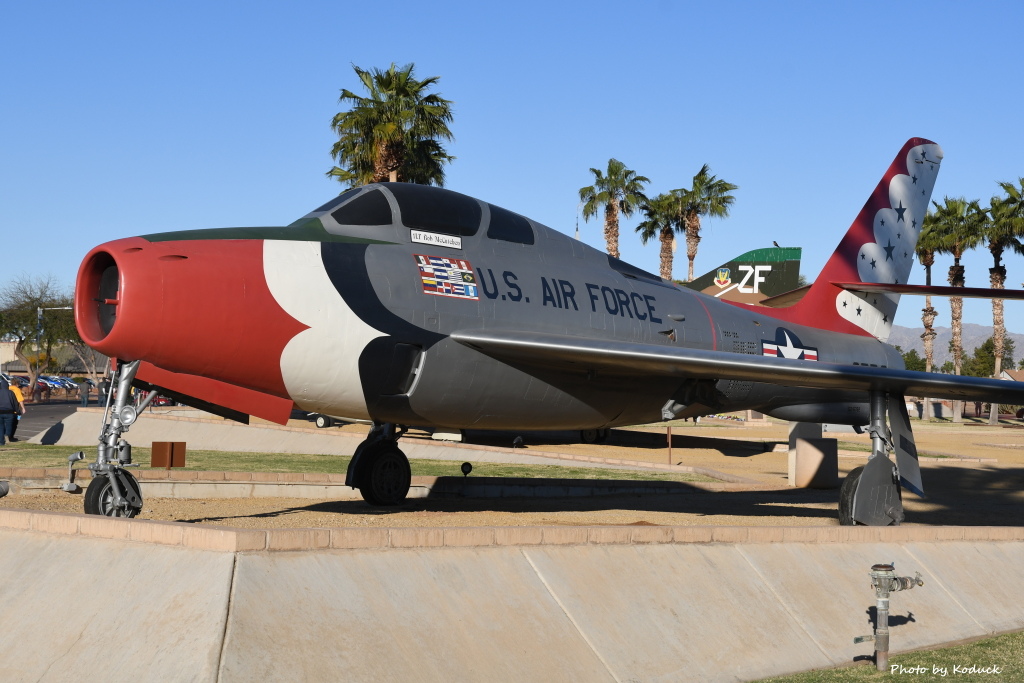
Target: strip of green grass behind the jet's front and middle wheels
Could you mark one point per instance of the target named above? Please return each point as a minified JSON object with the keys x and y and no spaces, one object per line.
{"x":31,"y":455}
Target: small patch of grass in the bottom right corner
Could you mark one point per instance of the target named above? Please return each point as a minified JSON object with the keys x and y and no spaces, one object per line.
{"x":1005,"y":653}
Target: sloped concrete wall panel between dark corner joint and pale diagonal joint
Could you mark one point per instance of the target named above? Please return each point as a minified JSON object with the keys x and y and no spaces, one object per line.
{"x":400,"y":616}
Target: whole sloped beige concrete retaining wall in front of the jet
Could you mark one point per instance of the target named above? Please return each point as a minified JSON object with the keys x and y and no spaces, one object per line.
{"x":122,"y":600}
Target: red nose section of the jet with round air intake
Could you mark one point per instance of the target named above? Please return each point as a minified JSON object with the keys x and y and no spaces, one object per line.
{"x":199,"y":307}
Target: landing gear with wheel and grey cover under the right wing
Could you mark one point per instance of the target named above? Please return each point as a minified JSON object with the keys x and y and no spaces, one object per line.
{"x":872,"y":494}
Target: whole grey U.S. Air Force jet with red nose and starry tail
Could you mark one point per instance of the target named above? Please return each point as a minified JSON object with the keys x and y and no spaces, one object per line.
{"x":406,"y":305}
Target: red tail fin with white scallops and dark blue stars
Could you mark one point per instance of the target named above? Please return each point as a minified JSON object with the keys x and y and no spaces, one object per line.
{"x":878,"y":248}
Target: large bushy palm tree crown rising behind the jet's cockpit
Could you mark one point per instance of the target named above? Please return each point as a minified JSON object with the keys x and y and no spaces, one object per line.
{"x":393,"y":134}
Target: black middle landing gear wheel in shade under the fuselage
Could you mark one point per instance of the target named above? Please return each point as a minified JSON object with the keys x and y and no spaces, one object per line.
{"x":379,"y":468}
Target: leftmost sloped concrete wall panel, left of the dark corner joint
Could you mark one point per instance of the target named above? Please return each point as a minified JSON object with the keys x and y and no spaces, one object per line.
{"x":75,"y":608}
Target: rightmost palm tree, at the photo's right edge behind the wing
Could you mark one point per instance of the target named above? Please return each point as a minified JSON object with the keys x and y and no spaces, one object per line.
{"x":1004,"y":230}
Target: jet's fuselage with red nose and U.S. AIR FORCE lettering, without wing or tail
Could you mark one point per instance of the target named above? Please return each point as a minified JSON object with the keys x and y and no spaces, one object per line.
{"x":363,"y":316}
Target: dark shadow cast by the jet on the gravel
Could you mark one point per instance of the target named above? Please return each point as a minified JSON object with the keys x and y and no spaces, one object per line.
{"x":977,"y":497}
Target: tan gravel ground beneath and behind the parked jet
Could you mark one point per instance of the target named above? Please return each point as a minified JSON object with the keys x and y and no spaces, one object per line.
{"x":971,"y":494}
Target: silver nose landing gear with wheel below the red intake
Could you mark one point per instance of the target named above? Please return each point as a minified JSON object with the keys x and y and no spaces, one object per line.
{"x":113,"y":492}
